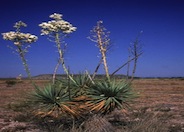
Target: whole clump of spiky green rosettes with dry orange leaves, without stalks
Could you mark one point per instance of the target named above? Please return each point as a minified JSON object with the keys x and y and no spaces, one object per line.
{"x":81,"y":98}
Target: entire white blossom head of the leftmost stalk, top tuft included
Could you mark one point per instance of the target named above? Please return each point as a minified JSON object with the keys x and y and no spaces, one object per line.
{"x":17,"y":37}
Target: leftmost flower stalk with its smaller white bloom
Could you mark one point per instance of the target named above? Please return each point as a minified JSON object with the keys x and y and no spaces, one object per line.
{"x":20,"y":39}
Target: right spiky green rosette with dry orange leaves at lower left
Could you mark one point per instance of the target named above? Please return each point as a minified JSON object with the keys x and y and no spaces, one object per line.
{"x":105,"y":96}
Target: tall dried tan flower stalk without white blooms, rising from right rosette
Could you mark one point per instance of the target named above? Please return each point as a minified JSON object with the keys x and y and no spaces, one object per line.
{"x":101,"y":37}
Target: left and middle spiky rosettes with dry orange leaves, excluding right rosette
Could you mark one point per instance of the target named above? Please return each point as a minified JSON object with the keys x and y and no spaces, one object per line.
{"x":64,"y":98}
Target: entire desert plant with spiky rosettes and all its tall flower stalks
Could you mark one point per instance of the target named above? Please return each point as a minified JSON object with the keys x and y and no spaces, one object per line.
{"x":76,"y":96}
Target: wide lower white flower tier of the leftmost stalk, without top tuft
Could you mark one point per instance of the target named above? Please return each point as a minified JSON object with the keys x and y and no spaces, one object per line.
{"x":19,"y":38}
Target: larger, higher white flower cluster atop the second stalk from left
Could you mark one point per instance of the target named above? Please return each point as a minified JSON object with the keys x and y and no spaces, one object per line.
{"x":57,"y":25}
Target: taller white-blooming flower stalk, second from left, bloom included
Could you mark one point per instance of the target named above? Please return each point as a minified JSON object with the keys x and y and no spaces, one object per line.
{"x":57,"y":29}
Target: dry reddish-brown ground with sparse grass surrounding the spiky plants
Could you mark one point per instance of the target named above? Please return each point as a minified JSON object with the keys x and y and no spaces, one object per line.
{"x":144,"y":114}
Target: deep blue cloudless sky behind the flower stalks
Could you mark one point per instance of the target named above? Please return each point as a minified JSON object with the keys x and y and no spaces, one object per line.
{"x":162,"y":23}
